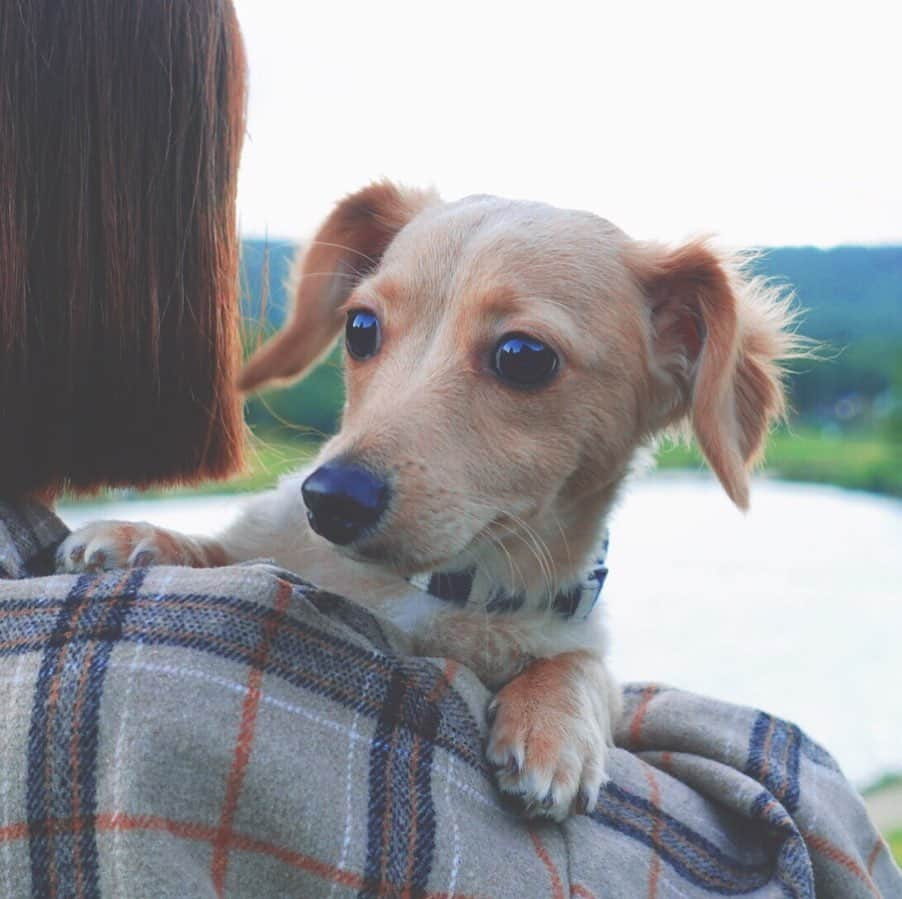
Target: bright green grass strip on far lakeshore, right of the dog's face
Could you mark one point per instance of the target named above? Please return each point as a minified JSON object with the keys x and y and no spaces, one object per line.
{"x":858,"y":461}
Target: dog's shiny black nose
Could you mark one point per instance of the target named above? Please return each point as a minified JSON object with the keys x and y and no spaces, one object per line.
{"x":343,"y":500}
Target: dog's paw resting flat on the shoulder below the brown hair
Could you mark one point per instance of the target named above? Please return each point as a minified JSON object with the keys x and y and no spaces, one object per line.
{"x":107,"y":545}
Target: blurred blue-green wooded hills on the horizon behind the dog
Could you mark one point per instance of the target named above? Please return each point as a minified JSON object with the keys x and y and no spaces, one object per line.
{"x":850,"y":297}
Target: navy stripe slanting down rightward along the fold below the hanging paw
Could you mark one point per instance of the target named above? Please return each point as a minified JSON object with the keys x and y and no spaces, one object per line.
{"x":692,"y":856}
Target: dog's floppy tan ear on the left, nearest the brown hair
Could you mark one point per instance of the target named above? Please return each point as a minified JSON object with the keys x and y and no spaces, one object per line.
{"x":348,"y":246}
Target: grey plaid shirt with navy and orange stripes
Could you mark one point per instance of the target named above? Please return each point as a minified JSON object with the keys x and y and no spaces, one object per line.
{"x":235,"y":732}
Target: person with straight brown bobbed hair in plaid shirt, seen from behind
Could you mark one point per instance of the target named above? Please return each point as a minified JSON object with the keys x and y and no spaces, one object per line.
{"x":235,"y":731}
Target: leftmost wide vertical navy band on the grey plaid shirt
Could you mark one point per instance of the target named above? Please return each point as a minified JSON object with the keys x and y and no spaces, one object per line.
{"x":63,"y":735}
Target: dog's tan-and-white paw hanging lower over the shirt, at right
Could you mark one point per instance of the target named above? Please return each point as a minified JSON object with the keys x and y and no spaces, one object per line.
{"x":550,"y":732}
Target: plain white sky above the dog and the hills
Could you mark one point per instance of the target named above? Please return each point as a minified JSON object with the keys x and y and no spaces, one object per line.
{"x":766,"y":123}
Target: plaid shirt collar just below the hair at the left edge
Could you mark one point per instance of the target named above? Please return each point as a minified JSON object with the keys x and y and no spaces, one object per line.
{"x":29,"y":536}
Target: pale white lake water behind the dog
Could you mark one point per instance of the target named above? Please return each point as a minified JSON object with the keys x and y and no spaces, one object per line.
{"x":795,"y":607}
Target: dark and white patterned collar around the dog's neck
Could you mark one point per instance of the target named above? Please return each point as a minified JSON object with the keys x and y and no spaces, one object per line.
{"x":462,"y":588}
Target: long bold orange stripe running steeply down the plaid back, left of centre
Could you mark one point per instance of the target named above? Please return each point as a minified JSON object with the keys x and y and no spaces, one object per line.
{"x":245,"y":741}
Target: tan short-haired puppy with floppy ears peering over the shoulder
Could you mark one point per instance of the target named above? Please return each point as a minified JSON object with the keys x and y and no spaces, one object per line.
{"x":507,"y":363}
